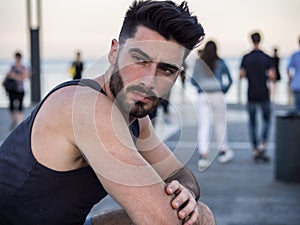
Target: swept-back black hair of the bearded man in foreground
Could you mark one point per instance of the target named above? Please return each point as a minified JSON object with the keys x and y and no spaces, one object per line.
{"x":168,"y":19}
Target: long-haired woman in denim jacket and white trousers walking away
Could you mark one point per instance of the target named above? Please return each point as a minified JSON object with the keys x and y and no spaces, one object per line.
{"x":211,"y":101}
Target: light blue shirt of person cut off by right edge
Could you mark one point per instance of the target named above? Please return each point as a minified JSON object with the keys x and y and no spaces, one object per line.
{"x":293,"y":70}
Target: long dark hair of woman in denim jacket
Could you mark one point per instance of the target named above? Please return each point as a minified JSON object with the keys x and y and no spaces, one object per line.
{"x":209,"y":54}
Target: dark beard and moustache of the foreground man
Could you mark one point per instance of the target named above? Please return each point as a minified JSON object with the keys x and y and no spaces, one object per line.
{"x":137,"y":109}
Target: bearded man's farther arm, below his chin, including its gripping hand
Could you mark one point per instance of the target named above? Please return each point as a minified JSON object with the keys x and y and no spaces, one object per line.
{"x":181,"y":184}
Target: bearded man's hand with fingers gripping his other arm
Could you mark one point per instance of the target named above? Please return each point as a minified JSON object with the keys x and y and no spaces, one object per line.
{"x":183,"y":201}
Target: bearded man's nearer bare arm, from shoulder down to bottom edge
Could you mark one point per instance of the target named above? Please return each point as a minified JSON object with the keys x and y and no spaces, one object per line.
{"x":103,"y":137}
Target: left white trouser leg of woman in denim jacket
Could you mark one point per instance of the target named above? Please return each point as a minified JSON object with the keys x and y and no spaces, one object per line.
{"x":204,"y":126}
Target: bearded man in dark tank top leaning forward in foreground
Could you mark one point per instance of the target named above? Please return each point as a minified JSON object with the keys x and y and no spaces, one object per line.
{"x":90,"y":138}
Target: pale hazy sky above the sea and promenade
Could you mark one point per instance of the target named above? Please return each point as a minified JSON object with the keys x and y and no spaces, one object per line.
{"x":89,"y":26}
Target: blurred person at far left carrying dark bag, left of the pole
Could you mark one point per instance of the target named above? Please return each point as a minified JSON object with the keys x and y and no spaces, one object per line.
{"x":17,"y":74}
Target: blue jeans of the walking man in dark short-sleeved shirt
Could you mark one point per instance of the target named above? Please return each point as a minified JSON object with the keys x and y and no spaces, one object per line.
{"x":266,"y":113}
